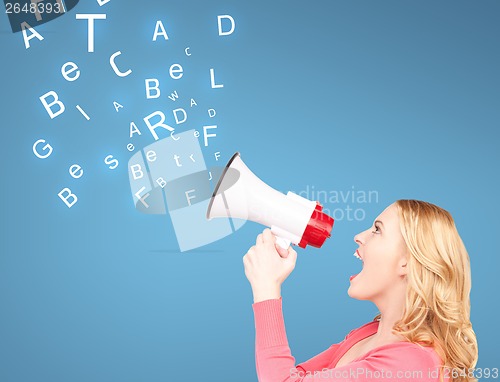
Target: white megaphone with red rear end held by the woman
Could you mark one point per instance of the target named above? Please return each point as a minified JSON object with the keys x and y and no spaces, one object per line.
{"x":240,"y":194}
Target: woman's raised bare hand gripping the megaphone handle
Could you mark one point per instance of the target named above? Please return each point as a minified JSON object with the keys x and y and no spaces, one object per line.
{"x":267,"y":265}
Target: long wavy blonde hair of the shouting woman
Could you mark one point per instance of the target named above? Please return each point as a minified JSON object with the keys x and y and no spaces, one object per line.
{"x":437,"y":307}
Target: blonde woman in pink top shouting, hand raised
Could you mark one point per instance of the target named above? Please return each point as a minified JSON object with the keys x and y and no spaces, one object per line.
{"x":416,"y":271}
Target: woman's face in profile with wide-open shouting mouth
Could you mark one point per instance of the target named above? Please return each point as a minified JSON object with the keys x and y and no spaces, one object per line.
{"x":383,"y":251}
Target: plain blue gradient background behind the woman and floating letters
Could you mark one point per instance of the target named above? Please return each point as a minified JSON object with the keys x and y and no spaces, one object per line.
{"x":397,"y":97}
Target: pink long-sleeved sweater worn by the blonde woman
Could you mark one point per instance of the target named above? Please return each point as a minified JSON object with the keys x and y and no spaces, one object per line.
{"x":401,"y":361}
